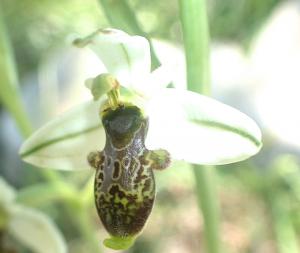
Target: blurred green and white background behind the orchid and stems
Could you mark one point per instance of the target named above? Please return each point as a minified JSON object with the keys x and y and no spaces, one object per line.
{"x":254,"y":57}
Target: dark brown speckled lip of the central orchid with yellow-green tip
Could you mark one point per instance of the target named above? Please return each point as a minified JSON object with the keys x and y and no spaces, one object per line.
{"x":124,"y":182}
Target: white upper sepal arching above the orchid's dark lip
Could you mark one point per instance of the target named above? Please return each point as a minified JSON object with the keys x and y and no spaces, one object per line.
{"x":126,"y":57}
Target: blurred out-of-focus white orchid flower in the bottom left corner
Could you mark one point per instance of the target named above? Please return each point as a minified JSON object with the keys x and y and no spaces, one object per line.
{"x":30,"y":227}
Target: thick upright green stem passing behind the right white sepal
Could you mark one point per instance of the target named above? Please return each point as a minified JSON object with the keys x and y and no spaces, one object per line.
{"x":196,"y":41}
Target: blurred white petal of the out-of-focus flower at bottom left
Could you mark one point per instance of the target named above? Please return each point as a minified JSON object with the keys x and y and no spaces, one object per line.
{"x":36,"y":231}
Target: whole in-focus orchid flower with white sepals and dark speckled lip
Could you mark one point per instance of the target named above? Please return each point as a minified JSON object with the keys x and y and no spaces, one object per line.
{"x":183,"y":125}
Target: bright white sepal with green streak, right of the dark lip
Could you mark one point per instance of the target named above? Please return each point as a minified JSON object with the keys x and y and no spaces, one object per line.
{"x":199,"y":129}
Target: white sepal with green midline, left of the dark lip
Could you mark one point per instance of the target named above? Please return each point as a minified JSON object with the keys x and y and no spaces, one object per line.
{"x":65,"y":142}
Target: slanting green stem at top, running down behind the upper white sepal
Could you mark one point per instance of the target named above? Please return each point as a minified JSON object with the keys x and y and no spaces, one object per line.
{"x":121,"y":16}
